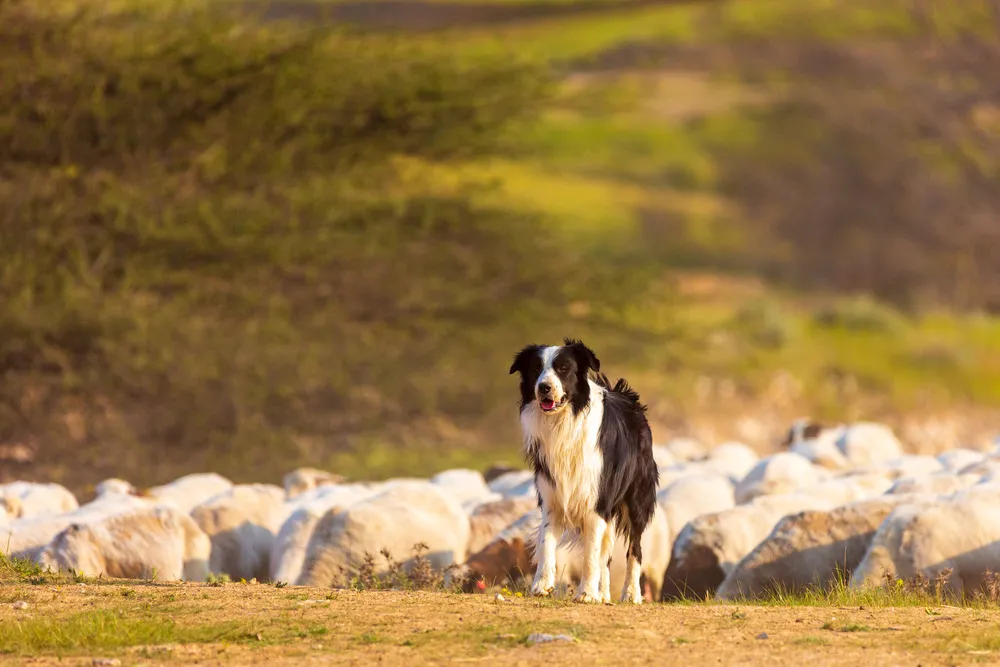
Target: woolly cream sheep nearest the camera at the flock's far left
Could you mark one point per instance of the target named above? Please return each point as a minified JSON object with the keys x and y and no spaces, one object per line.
{"x":147,"y":543}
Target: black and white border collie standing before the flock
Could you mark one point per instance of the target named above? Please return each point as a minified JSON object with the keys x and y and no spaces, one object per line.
{"x":592,"y":453}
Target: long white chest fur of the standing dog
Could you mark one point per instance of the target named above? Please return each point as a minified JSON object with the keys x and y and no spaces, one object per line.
{"x":567,"y":446}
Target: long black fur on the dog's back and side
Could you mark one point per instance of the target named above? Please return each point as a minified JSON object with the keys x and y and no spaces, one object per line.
{"x":630,"y":476}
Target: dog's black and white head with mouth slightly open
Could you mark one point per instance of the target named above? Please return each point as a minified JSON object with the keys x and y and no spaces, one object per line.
{"x":556,"y":376}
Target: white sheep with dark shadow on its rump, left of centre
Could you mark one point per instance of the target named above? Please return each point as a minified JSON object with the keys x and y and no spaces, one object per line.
{"x":241,"y":523}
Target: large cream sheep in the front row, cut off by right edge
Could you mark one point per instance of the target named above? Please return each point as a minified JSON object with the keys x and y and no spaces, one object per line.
{"x":956,"y":537}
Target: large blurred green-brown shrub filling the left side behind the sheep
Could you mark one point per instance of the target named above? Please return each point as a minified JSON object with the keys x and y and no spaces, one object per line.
{"x":221,"y":245}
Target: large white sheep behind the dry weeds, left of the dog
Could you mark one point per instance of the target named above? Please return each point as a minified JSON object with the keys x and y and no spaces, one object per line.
{"x":399,"y":518}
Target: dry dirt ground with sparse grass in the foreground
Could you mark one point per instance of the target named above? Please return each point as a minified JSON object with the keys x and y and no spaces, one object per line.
{"x":237,"y":624}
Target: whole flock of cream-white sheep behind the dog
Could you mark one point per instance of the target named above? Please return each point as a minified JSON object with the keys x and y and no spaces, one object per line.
{"x":834,"y":504}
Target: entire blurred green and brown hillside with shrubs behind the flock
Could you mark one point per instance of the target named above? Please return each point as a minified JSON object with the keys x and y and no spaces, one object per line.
{"x":247,"y":237}
